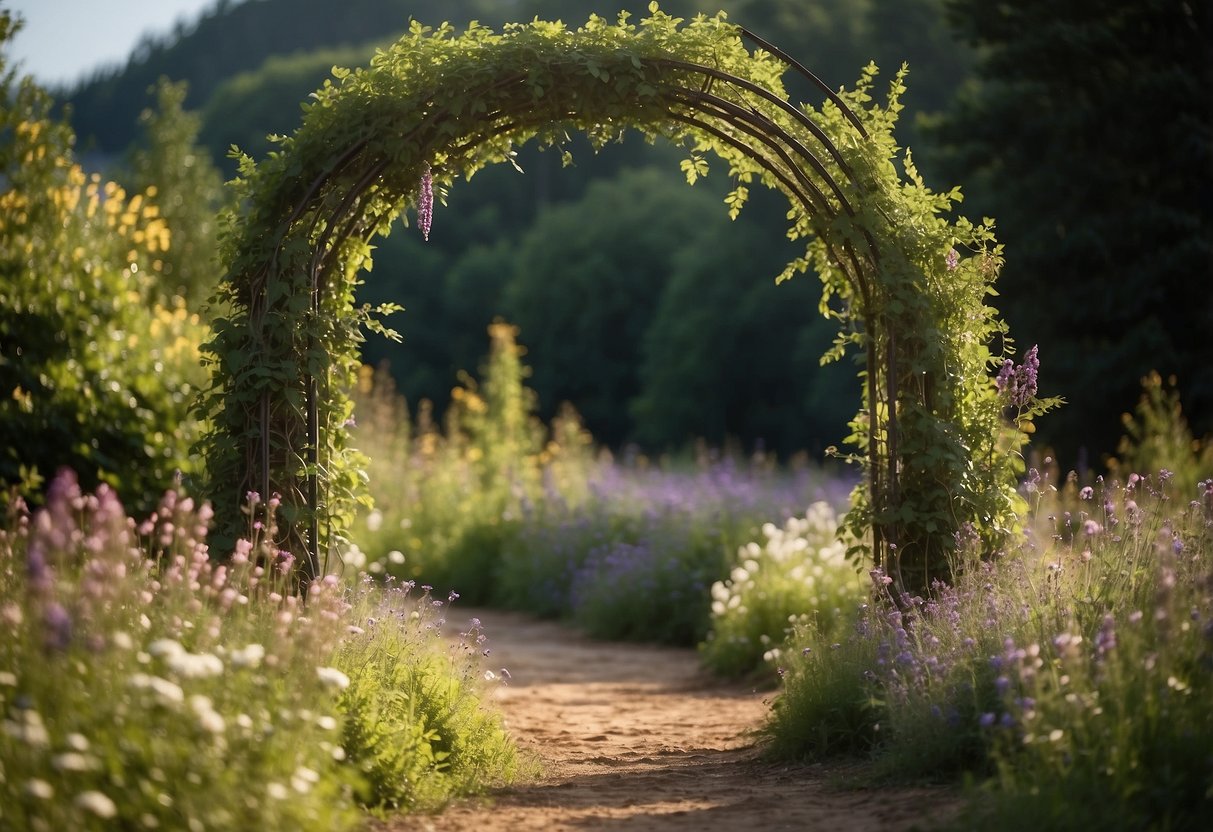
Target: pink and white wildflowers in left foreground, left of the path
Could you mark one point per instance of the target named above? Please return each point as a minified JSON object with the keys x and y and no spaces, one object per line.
{"x":143,"y":686}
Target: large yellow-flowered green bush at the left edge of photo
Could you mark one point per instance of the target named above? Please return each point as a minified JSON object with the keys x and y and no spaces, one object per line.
{"x":98,"y":369}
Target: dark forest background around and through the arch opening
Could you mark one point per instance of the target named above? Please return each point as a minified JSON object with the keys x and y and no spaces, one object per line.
{"x":1085,"y":129}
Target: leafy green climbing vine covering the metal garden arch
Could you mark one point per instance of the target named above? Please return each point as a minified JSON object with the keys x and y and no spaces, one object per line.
{"x":907,"y":287}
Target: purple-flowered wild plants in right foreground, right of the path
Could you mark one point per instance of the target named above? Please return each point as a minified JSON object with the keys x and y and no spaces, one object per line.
{"x":1077,"y":669}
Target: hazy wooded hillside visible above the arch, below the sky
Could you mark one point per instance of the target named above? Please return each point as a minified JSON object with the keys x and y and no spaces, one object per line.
{"x":249,"y":59}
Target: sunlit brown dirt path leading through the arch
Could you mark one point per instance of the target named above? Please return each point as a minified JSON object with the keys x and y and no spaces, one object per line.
{"x":639,"y":738}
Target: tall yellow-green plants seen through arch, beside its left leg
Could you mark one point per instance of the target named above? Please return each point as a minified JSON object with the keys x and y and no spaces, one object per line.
{"x":449,"y":502}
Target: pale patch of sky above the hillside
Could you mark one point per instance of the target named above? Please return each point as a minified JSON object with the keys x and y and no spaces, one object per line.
{"x":66,"y":41}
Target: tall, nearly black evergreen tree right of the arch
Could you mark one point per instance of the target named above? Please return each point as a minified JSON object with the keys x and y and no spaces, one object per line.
{"x":1091,"y":140}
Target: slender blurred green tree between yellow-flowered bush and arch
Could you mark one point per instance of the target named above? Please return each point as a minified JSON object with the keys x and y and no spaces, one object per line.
{"x":189,"y":190}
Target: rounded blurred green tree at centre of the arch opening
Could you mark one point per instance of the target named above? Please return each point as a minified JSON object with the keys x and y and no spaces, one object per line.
{"x":588,"y":292}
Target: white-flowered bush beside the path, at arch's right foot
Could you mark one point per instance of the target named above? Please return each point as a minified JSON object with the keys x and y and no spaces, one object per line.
{"x":800,"y":574}
